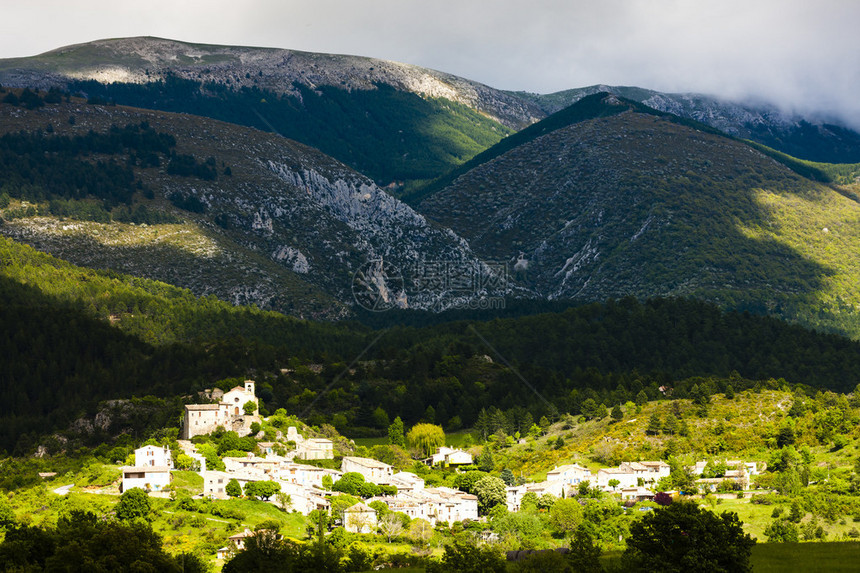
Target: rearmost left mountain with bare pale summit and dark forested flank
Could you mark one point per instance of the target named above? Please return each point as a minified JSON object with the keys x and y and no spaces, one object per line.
{"x":393,"y":122}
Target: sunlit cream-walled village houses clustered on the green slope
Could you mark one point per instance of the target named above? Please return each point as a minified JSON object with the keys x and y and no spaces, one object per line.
{"x":304,"y":487}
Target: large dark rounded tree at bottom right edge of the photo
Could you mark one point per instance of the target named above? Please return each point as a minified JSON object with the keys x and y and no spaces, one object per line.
{"x":685,"y":537}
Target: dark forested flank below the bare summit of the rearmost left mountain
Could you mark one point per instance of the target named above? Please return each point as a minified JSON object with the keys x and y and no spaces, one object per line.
{"x":387,"y":134}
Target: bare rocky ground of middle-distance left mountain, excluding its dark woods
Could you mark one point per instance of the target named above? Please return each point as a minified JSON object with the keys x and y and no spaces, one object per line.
{"x":296,"y":229}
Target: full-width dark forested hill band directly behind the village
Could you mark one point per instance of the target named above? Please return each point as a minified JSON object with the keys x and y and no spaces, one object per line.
{"x":141,"y":337}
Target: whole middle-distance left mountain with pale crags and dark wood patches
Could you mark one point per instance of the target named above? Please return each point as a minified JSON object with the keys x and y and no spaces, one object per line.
{"x":256,"y":219}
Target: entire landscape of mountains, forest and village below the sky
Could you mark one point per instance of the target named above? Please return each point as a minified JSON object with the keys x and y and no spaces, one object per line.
{"x":421,"y":322}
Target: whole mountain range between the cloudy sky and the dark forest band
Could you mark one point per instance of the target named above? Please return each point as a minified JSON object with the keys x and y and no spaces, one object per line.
{"x":582,"y":195}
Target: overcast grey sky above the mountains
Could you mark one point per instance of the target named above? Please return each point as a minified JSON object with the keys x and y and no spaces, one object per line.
{"x":797,"y":53}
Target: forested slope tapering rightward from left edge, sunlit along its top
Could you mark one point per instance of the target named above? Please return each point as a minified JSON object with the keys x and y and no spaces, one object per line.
{"x":72,"y":337}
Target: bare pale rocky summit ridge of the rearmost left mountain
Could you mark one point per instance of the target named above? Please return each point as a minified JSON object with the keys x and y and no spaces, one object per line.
{"x":281,"y":69}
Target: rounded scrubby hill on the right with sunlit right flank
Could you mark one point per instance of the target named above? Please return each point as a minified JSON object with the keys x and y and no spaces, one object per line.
{"x":641,"y":203}
